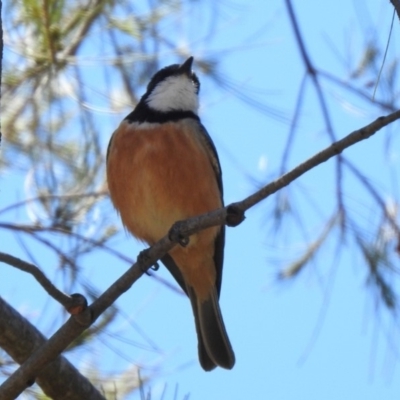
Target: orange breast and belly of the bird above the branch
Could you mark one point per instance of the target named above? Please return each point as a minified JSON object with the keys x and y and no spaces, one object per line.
{"x":159,"y":174}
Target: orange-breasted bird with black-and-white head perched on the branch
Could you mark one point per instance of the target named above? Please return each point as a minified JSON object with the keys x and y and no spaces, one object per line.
{"x":163,"y":167}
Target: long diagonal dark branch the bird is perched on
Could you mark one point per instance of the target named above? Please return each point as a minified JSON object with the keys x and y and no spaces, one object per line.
{"x":29,"y":371}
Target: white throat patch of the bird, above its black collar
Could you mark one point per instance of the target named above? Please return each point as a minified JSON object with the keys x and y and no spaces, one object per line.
{"x":174,"y":93}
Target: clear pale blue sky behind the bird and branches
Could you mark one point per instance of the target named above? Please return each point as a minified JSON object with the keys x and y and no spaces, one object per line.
{"x":319,"y":336}
